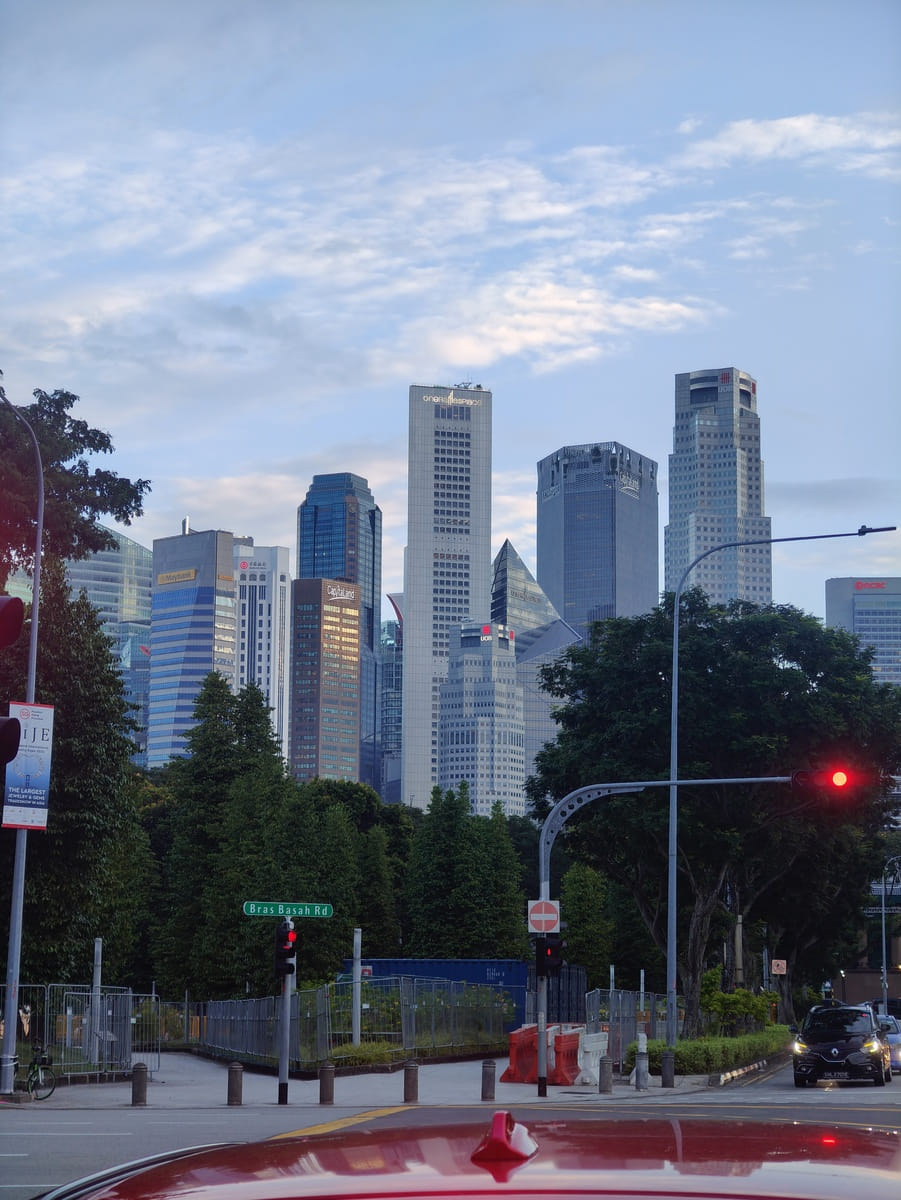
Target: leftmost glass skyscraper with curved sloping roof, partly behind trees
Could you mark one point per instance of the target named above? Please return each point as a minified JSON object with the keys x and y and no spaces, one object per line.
{"x":118,"y":584}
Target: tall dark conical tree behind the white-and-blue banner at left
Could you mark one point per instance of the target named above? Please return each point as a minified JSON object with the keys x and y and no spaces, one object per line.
{"x":93,"y":855}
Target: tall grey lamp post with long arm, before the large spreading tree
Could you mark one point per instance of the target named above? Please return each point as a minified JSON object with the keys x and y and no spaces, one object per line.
{"x":671,"y":951}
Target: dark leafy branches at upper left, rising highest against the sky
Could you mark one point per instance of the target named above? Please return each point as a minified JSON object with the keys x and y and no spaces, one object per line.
{"x":75,"y":496}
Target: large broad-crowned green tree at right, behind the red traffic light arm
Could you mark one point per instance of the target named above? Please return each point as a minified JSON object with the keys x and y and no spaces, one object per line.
{"x":762,"y":692}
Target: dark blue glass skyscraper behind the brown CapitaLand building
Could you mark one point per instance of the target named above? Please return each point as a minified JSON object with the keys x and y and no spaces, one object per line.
{"x":340,"y":538}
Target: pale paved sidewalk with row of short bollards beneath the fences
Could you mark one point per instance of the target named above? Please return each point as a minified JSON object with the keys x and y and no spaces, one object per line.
{"x":188,"y":1082}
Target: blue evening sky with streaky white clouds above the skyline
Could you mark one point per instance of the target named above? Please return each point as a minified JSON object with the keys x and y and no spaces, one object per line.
{"x":241,"y":230}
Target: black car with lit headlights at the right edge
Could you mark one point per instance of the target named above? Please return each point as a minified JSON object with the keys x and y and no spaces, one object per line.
{"x":842,"y":1042}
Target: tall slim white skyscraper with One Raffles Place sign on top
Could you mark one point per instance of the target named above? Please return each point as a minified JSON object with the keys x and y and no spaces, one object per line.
{"x":448,"y":559}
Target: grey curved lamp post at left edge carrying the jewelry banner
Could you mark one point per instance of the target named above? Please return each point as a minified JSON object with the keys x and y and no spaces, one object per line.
{"x":11,"y":1015}
